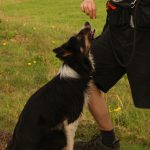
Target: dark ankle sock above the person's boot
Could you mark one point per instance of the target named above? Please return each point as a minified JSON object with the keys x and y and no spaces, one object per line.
{"x":108,"y":137}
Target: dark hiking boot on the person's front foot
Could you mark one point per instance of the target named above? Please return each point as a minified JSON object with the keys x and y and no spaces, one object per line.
{"x":96,"y":144}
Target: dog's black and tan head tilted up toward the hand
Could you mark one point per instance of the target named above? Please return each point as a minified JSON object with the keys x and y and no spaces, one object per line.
{"x":77,"y":45}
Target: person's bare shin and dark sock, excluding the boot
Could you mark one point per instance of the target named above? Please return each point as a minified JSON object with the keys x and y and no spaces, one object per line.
{"x":99,"y":109}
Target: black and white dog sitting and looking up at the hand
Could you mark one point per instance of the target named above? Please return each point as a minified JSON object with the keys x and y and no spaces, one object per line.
{"x":49,"y":119}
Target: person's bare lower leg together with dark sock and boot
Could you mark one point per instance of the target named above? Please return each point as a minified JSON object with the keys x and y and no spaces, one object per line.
{"x":106,"y":139}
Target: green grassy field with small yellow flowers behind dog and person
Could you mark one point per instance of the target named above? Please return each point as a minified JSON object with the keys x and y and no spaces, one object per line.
{"x":29,"y":30}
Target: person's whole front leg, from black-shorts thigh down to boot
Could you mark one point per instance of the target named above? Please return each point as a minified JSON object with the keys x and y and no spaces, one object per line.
{"x":107,"y":73}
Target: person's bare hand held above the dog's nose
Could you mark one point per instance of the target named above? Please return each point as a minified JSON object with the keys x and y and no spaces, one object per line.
{"x":89,"y":7}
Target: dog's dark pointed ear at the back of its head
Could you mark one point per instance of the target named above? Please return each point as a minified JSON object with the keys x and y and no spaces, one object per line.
{"x":62,"y":53}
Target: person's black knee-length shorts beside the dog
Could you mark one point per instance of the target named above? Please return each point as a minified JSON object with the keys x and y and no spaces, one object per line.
{"x":112,"y":52}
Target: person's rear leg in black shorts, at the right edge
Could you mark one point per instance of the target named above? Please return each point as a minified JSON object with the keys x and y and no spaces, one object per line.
{"x":139,"y":69}
